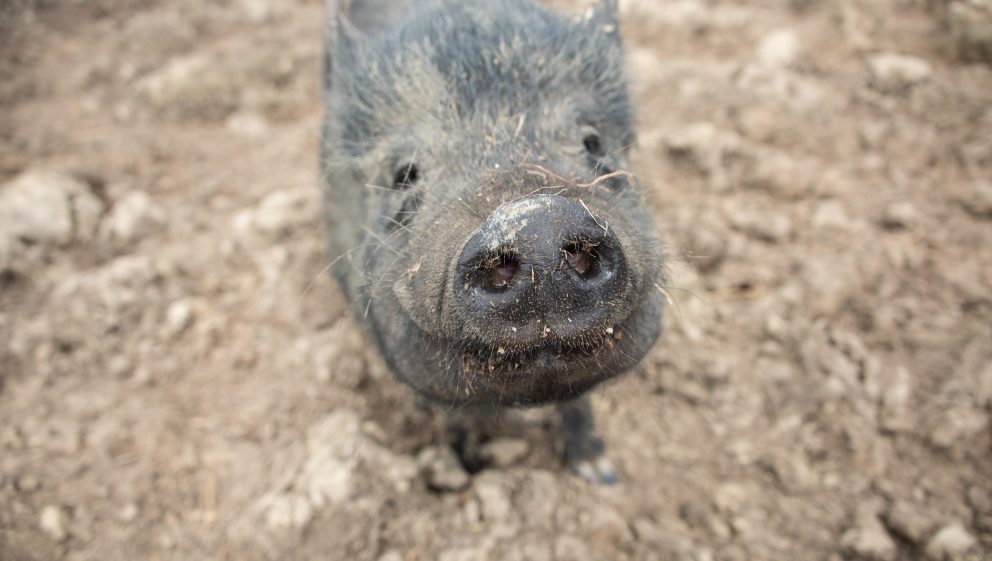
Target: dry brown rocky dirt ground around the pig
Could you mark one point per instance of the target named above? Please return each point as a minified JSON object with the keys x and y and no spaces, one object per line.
{"x":179,"y":379}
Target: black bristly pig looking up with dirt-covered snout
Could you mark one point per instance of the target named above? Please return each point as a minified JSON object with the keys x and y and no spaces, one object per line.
{"x":479,"y":210}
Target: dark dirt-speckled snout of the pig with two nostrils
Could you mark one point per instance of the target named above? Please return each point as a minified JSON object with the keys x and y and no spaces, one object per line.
{"x":540,"y":267}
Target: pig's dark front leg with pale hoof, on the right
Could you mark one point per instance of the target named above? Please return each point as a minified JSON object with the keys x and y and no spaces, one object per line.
{"x":584,"y":450}
